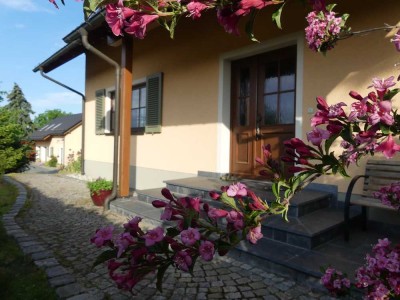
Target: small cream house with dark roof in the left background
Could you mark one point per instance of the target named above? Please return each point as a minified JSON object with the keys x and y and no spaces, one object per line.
{"x":60,"y":138}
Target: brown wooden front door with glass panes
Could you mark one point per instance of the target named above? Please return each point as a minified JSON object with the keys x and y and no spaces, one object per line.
{"x":262,"y":107}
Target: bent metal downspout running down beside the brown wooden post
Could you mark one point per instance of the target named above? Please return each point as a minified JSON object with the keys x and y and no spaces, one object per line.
{"x":95,"y":51}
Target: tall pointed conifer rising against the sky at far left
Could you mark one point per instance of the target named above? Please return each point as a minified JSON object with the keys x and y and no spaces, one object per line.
{"x":20,"y":110}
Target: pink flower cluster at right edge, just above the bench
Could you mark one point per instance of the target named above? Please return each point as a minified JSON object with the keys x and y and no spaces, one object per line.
{"x":365,"y":130}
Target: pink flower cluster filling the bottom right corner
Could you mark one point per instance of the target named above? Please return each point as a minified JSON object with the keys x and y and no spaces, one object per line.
{"x":380,"y":275}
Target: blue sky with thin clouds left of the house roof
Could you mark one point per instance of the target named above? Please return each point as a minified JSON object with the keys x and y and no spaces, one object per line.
{"x":30,"y":32}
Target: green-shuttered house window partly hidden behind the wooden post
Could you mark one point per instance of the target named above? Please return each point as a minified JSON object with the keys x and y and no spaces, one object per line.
{"x":145,"y":111}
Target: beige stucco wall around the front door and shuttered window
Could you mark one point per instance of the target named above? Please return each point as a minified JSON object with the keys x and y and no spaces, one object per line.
{"x":193,"y":87}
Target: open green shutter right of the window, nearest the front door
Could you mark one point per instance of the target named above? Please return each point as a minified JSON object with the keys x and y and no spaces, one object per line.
{"x":154,"y":103}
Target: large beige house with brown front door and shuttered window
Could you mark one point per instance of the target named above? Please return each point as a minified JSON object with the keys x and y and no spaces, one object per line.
{"x":206,"y":101}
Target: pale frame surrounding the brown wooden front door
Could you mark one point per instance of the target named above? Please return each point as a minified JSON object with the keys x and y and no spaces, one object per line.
{"x":224,"y":93}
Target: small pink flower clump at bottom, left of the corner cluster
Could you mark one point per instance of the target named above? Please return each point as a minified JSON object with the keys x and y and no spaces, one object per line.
{"x":335,"y":282}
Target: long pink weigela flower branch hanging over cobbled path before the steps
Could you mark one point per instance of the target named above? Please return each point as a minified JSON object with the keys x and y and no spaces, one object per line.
{"x":199,"y":231}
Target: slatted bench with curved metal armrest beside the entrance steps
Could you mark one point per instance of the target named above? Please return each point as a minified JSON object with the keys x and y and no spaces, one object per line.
{"x":378,"y":173}
